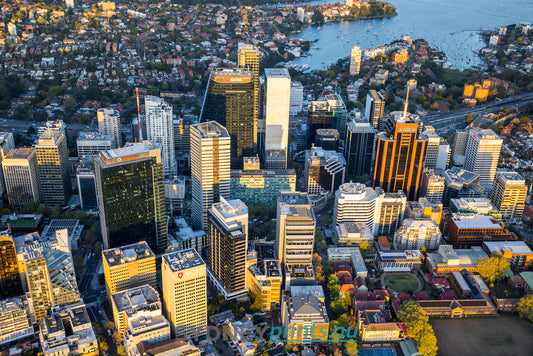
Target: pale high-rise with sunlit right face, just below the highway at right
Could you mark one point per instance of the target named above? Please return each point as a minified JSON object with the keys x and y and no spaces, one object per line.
{"x":482,"y":154}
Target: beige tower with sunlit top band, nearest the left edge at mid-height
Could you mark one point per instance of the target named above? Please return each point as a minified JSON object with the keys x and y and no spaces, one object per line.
{"x":21,"y":176}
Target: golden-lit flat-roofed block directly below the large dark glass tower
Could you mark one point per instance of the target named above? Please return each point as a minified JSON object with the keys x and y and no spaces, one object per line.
{"x":128,"y":267}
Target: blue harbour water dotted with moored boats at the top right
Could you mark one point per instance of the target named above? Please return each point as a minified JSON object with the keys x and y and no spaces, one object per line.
{"x":452,"y":26}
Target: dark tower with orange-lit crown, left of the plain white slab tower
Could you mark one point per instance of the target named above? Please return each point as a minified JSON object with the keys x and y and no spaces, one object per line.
{"x":229,"y":100}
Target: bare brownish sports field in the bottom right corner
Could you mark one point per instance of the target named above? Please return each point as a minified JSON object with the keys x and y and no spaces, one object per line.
{"x":499,"y":336}
